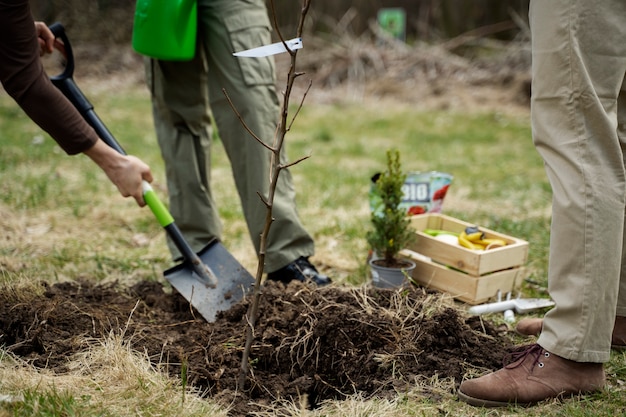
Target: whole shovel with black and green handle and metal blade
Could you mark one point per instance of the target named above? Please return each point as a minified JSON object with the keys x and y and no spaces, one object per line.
{"x":211,"y":280}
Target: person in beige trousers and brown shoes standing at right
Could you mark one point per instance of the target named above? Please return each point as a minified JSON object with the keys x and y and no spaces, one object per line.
{"x":578,"y":112}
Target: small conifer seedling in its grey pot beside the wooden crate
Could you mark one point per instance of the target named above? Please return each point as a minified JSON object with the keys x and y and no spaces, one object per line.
{"x":391,"y":230}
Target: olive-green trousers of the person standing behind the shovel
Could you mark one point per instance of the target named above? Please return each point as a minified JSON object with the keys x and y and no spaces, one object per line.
{"x":183,"y":96}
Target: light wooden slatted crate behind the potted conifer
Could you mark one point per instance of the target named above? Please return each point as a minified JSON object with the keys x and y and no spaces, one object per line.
{"x":470,"y":276}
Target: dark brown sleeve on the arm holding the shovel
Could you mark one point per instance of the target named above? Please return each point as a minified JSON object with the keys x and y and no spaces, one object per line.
{"x":23,"y":77}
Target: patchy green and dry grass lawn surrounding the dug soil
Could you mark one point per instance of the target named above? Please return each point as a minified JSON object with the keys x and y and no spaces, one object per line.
{"x":62,"y":219}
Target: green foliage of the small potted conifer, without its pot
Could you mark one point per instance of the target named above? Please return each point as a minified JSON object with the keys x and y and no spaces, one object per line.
{"x":391,"y":232}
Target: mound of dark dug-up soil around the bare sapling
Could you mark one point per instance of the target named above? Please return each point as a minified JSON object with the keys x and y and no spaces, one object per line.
{"x":326,"y":343}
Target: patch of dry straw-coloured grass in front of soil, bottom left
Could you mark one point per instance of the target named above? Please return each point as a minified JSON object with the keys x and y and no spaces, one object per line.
{"x":110,"y":377}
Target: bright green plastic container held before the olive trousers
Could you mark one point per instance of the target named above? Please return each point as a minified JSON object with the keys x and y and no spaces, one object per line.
{"x":166,"y":29}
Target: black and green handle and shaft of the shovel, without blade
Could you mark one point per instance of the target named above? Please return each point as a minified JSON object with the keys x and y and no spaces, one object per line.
{"x":68,"y":87}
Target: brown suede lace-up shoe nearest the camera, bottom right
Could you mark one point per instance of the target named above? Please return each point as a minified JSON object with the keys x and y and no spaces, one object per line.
{"x":534,"y":375}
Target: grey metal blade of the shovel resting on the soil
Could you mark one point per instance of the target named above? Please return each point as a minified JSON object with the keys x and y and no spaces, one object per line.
{"x":234,"y":282}
